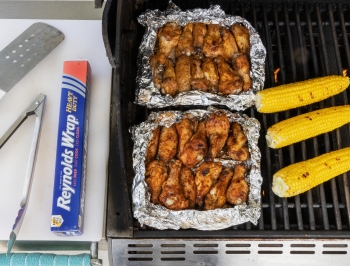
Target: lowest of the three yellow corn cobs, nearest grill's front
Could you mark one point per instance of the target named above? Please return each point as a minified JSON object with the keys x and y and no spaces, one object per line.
{"x":300,"y":177}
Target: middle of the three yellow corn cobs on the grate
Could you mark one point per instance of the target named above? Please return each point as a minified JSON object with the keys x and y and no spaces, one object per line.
{"x":306,"y":126}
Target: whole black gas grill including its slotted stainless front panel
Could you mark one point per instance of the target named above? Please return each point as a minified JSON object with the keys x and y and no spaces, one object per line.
{"x":303,"y":40}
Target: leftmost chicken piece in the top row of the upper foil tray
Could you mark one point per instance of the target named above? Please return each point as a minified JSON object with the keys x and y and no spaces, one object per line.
{"x":167,"y":38}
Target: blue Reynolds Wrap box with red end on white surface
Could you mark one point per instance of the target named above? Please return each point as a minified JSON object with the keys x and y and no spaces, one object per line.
{"x":70,"y":172}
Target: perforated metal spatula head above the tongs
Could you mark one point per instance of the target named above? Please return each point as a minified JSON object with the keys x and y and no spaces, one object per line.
{"x":25,"y":52}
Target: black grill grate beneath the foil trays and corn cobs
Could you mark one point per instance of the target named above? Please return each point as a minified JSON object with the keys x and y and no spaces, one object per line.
{"x":302,"y":41}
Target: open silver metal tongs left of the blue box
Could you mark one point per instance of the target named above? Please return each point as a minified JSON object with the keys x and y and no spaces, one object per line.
{"x":35,"y":108}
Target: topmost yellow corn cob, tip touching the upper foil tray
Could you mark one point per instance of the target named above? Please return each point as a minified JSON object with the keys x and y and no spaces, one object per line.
{"x":298,"y":94}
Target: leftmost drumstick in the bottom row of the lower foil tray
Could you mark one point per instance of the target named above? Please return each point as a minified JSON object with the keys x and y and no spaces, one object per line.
{"x":156,"y":174}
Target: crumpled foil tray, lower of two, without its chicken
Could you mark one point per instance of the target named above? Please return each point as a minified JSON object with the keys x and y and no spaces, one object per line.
{"x":158,"y":216}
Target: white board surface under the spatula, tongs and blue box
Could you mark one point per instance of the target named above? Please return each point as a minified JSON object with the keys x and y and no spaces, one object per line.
{"x":83,"y":39}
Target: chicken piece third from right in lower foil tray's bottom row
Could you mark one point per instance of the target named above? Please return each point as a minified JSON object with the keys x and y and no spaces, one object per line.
{"x":206,"y":174}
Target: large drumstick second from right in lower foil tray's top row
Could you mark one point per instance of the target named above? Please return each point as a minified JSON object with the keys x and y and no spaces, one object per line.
{"x":217,"y":128}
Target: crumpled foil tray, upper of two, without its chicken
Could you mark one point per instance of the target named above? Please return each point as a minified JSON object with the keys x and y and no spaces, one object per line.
{"x":147,"y":94}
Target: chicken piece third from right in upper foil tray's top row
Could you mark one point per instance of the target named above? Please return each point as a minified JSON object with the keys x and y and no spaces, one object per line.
{"x":212,"y":44}
